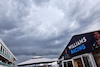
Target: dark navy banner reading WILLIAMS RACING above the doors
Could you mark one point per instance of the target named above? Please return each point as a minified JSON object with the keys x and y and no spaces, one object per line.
{"x":83,"y":43}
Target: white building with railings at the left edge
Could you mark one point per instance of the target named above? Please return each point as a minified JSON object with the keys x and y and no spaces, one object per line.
{"x":7,"y":59}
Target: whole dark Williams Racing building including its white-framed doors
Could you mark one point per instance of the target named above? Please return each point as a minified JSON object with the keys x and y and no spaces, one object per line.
{"x":82,"y":50}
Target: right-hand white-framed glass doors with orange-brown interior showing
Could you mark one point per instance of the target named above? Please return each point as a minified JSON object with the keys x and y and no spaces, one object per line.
{"x":83,"y":61}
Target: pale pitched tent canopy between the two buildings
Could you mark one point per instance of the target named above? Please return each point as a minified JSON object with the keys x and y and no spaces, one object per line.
{"x":37,"y":60}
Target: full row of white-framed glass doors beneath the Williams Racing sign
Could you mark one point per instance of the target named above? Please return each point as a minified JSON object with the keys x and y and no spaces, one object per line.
{"x":85,"y":60}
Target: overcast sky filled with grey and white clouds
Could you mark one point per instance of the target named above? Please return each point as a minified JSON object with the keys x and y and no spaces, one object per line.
{"x":44,"y":27}
